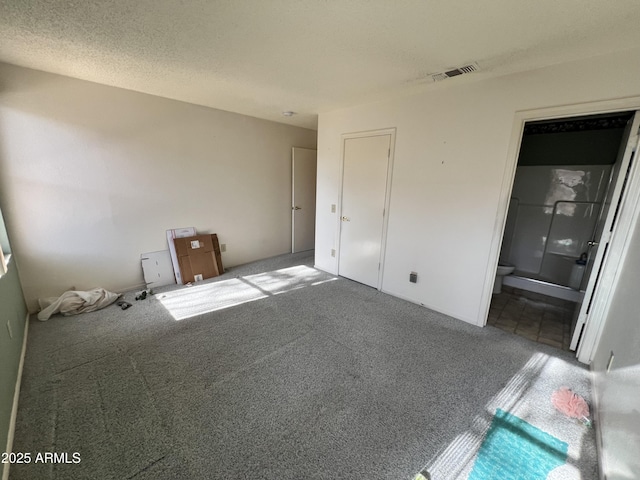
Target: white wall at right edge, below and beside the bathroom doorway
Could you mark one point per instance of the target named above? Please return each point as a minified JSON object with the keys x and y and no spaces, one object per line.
{"x":618,"y":391}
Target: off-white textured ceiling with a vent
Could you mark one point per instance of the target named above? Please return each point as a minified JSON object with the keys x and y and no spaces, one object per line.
{"x":261,"y":57}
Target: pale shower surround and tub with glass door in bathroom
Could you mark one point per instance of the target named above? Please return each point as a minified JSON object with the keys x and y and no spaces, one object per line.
{"x":551,"y":221}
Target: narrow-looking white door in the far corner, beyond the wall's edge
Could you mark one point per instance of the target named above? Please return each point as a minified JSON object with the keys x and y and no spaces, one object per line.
{"x":303,"y":199}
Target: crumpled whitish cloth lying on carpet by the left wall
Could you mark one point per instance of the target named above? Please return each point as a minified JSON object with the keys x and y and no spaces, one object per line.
{"x":74,"y":302}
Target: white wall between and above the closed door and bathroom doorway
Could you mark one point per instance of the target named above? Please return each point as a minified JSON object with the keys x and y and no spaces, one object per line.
{"x":451,"y":152}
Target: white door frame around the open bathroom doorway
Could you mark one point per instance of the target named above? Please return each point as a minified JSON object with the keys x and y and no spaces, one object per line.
{"x":620,"y":239}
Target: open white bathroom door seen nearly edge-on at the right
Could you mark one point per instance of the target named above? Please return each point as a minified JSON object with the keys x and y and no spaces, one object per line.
{"x":599,"y":246}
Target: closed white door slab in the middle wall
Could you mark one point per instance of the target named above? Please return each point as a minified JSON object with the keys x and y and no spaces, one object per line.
{"x":364,"y":188}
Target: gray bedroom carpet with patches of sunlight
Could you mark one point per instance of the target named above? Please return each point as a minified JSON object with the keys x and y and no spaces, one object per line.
{"x":278,"y":371}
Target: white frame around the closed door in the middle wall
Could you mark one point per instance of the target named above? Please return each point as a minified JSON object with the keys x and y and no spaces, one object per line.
{"x":387,"y":196}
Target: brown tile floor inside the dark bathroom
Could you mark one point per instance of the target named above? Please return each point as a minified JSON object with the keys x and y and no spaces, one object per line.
{"x":536,"y":317}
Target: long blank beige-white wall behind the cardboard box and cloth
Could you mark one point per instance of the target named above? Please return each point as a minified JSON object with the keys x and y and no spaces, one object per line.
{"x":91,"y":177}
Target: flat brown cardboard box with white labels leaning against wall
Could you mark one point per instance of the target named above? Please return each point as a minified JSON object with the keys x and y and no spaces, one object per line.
{"x":196,"y":258}
